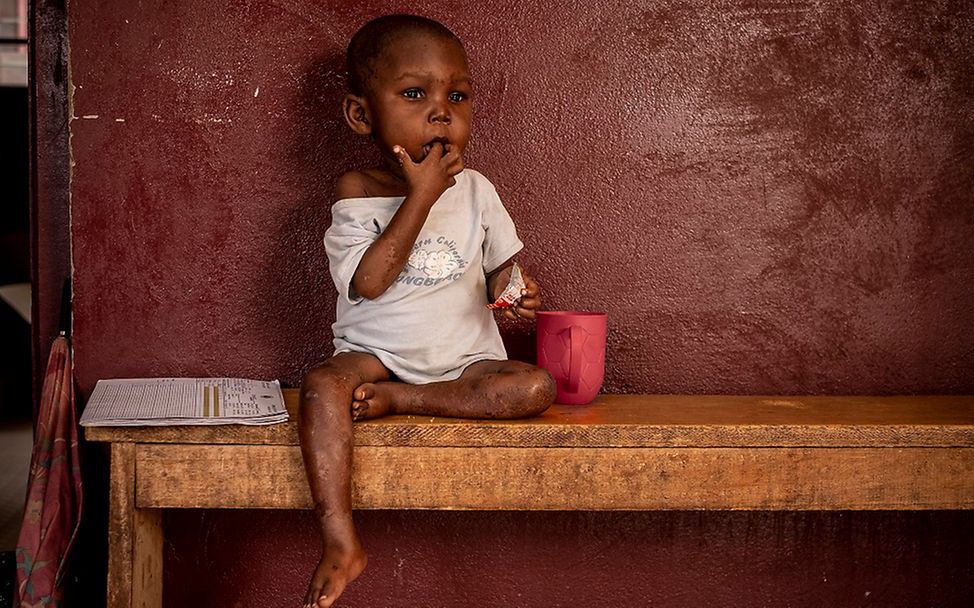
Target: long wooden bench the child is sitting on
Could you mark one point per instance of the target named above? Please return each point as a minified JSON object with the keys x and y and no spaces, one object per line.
{"x":623,"y":452}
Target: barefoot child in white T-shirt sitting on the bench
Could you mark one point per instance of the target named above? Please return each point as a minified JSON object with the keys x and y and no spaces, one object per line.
{"x":417,"y":248}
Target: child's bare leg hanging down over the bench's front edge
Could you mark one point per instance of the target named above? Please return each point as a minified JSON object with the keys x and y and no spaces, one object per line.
{"x":325,"y":428}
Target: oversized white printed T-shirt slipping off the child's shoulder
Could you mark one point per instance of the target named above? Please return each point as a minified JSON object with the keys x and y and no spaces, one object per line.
{"x":432,"y":322}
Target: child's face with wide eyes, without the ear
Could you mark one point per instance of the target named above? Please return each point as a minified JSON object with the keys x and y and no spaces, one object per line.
{"x":420,"y":94}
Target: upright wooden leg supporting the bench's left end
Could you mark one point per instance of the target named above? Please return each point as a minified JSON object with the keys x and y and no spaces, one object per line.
{"x":134,"y":539}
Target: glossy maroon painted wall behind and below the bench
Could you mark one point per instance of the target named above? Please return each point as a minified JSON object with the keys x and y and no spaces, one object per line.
{"x":766,"y":197}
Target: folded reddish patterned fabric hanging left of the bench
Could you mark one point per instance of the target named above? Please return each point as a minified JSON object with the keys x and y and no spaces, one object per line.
{"x":53,"y":509}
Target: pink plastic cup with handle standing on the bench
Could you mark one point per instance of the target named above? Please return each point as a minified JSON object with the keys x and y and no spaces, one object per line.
{"x":571,"y":346}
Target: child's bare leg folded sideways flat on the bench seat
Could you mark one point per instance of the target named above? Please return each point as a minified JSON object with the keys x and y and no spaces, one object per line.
{"x":486,"y":389}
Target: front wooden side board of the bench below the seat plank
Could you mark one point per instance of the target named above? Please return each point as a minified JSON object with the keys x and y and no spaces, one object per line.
{"x":568,"y":478}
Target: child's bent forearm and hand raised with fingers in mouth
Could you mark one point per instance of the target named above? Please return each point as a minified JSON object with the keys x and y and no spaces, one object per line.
{"x":388,"y":254}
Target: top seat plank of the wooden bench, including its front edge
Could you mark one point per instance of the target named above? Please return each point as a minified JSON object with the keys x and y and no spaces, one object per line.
{"x":639,"y":421}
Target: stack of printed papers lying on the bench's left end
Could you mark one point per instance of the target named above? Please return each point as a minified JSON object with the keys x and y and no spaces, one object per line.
{"x":167,"y":401}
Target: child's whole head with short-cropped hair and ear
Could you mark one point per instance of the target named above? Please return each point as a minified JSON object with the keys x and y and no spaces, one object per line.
{"x":409,"y":85}
